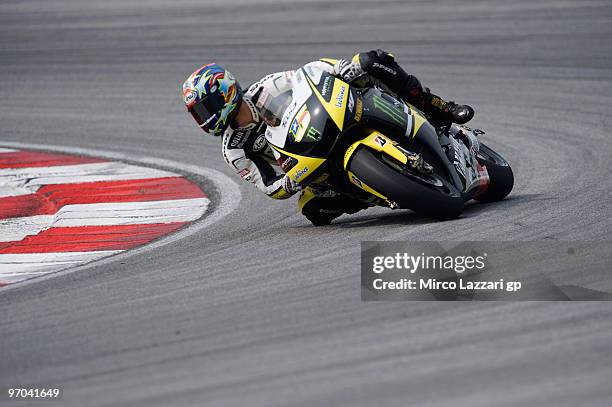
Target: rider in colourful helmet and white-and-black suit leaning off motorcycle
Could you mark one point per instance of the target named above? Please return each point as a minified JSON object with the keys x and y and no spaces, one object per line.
{"x":218,"y":104}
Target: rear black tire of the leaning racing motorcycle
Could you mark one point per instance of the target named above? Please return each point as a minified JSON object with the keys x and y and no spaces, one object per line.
{"x":501,"y":178}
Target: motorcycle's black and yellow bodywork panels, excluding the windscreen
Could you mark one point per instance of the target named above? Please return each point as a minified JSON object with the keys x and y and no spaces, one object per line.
{"x":337,"y":120}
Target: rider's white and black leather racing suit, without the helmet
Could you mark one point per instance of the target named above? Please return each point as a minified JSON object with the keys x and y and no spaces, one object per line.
{"x":247,"y":152}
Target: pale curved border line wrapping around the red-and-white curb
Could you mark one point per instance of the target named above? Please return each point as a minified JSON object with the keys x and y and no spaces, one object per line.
{"x":229,"y":200}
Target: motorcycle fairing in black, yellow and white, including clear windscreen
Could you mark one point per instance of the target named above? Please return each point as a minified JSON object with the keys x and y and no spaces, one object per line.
{"x":323,"y":113}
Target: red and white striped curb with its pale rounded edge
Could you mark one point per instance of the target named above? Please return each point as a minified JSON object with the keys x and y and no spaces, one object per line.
{"x":59,"y":211}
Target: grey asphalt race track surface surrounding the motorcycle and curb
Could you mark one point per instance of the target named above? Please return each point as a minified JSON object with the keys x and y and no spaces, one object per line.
{"x":262,"y":309}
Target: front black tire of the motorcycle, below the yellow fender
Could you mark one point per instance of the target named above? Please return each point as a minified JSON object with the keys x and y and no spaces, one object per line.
{"x":406,"y":192}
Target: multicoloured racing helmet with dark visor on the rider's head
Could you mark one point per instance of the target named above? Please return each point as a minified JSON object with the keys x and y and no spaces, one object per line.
{"x":213,"y":96}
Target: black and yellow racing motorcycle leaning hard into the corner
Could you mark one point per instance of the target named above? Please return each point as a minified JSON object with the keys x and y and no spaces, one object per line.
{"x":369,"y":145}
